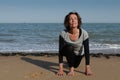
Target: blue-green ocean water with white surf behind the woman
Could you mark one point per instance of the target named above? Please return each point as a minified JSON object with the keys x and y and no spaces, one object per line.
{"x":43,"y":37}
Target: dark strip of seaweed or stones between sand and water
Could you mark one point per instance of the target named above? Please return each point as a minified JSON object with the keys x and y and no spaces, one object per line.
{"x":56,"y":54}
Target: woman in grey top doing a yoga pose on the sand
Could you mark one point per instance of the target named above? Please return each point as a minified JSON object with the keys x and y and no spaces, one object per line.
{"x":73,"y":44}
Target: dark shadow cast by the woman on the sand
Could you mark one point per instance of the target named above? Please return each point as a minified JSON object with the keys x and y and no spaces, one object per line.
{"x":48,"y":65}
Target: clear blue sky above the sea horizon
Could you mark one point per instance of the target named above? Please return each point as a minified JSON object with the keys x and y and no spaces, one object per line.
{"x":54,"y":11}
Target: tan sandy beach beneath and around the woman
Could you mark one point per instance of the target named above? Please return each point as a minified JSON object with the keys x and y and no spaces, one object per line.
{"x":44,"y":67}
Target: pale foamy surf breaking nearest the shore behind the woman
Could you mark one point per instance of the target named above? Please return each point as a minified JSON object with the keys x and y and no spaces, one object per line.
{"x":34,"y":48}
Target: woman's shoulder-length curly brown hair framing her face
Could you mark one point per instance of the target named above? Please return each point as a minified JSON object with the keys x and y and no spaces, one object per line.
{"x":66,"y":20}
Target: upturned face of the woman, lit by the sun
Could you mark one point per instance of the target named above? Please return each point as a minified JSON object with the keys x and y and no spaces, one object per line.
{"x":73,"y":21}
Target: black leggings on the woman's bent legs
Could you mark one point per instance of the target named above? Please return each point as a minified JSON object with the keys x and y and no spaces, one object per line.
{"x":72,"y":59}
